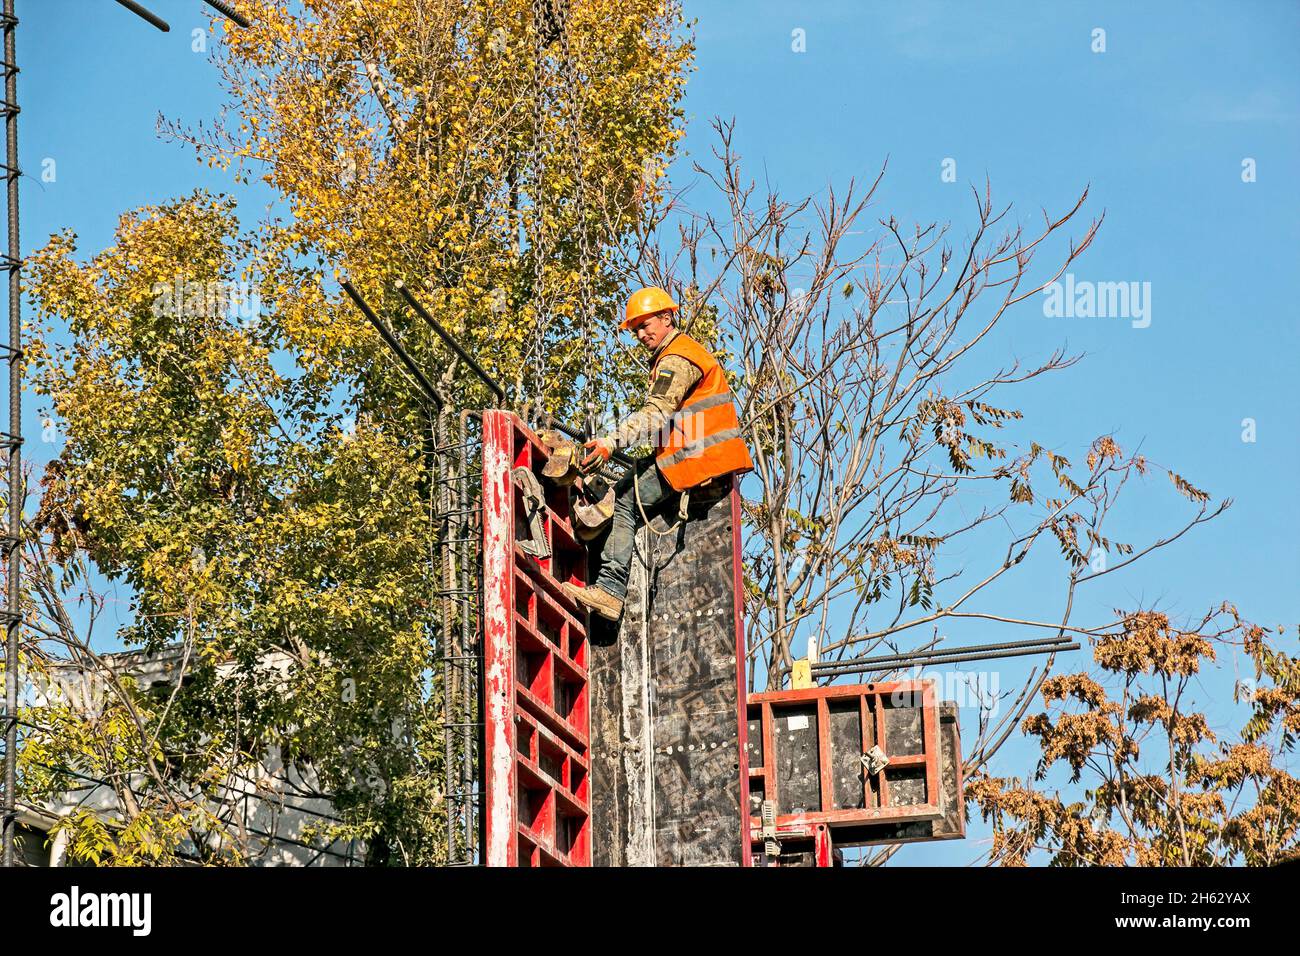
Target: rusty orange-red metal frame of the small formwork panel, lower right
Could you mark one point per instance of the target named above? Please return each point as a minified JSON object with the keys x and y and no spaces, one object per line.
{"x":843,"y":804}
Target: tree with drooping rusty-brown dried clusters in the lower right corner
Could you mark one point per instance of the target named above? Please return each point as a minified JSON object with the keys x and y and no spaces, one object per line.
{"x":1151,"y":784}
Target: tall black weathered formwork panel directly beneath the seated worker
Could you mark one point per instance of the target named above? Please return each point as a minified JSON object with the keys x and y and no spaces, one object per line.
{"x":666,"y":713}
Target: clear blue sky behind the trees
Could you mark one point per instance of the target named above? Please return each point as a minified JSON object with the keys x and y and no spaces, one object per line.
{"x":1159,"y":126}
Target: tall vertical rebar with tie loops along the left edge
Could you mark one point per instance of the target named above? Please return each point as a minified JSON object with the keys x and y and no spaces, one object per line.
{"x":14,"y":608}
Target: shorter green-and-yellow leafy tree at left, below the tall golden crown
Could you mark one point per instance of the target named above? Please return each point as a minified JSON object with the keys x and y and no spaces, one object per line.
{"x":249,"y":520}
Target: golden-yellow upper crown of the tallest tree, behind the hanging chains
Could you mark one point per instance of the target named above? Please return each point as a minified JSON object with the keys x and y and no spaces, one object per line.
{"x":489,"y":155}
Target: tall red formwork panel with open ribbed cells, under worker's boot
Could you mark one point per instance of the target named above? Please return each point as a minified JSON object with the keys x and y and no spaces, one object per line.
{"x":538,"y":752}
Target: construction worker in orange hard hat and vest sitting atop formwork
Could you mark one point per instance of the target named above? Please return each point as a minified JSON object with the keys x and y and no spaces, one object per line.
{"x":692,"y":419}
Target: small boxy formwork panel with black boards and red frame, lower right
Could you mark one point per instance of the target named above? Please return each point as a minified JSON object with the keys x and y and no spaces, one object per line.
{"x":807,"y":756}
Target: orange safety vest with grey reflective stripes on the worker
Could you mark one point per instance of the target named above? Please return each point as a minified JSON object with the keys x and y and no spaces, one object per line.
{"x":701,"y":442}
